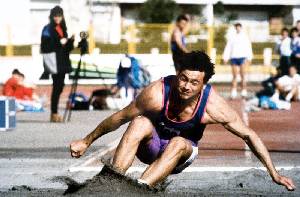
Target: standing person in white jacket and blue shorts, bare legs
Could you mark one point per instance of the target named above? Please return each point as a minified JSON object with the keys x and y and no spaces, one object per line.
{"x":239,"y":51}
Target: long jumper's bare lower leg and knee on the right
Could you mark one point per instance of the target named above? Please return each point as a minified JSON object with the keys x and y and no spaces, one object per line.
{"x":177,"y":151}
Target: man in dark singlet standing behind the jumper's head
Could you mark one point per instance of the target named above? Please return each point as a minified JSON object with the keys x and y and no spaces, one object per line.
{"x":178,"y":44}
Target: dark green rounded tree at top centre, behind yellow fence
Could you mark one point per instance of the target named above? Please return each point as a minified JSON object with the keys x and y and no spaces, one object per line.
{"x":158,"y":11}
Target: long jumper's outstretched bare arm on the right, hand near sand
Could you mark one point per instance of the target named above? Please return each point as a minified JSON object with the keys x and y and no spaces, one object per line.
{"x":218,"y":111}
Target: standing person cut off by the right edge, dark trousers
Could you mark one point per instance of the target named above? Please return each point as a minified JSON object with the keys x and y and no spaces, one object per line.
{"x":295,"y":44}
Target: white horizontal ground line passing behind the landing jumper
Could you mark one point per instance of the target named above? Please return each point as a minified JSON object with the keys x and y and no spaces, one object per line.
{"x":189,"y":169}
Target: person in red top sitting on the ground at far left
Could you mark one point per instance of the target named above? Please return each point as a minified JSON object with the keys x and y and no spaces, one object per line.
{"x":26,"y":99}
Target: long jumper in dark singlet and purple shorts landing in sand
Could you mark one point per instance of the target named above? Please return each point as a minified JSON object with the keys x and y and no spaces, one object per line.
{"x":167,"y":121}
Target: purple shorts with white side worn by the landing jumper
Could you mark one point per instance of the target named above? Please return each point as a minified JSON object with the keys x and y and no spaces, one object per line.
{"x":148,"y":153}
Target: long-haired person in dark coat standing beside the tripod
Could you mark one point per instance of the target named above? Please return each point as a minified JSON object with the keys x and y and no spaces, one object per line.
{"x":55,"y":39}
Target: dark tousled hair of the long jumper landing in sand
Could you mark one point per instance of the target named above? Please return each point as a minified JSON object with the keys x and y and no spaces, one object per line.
{"x":197,"y":61}
